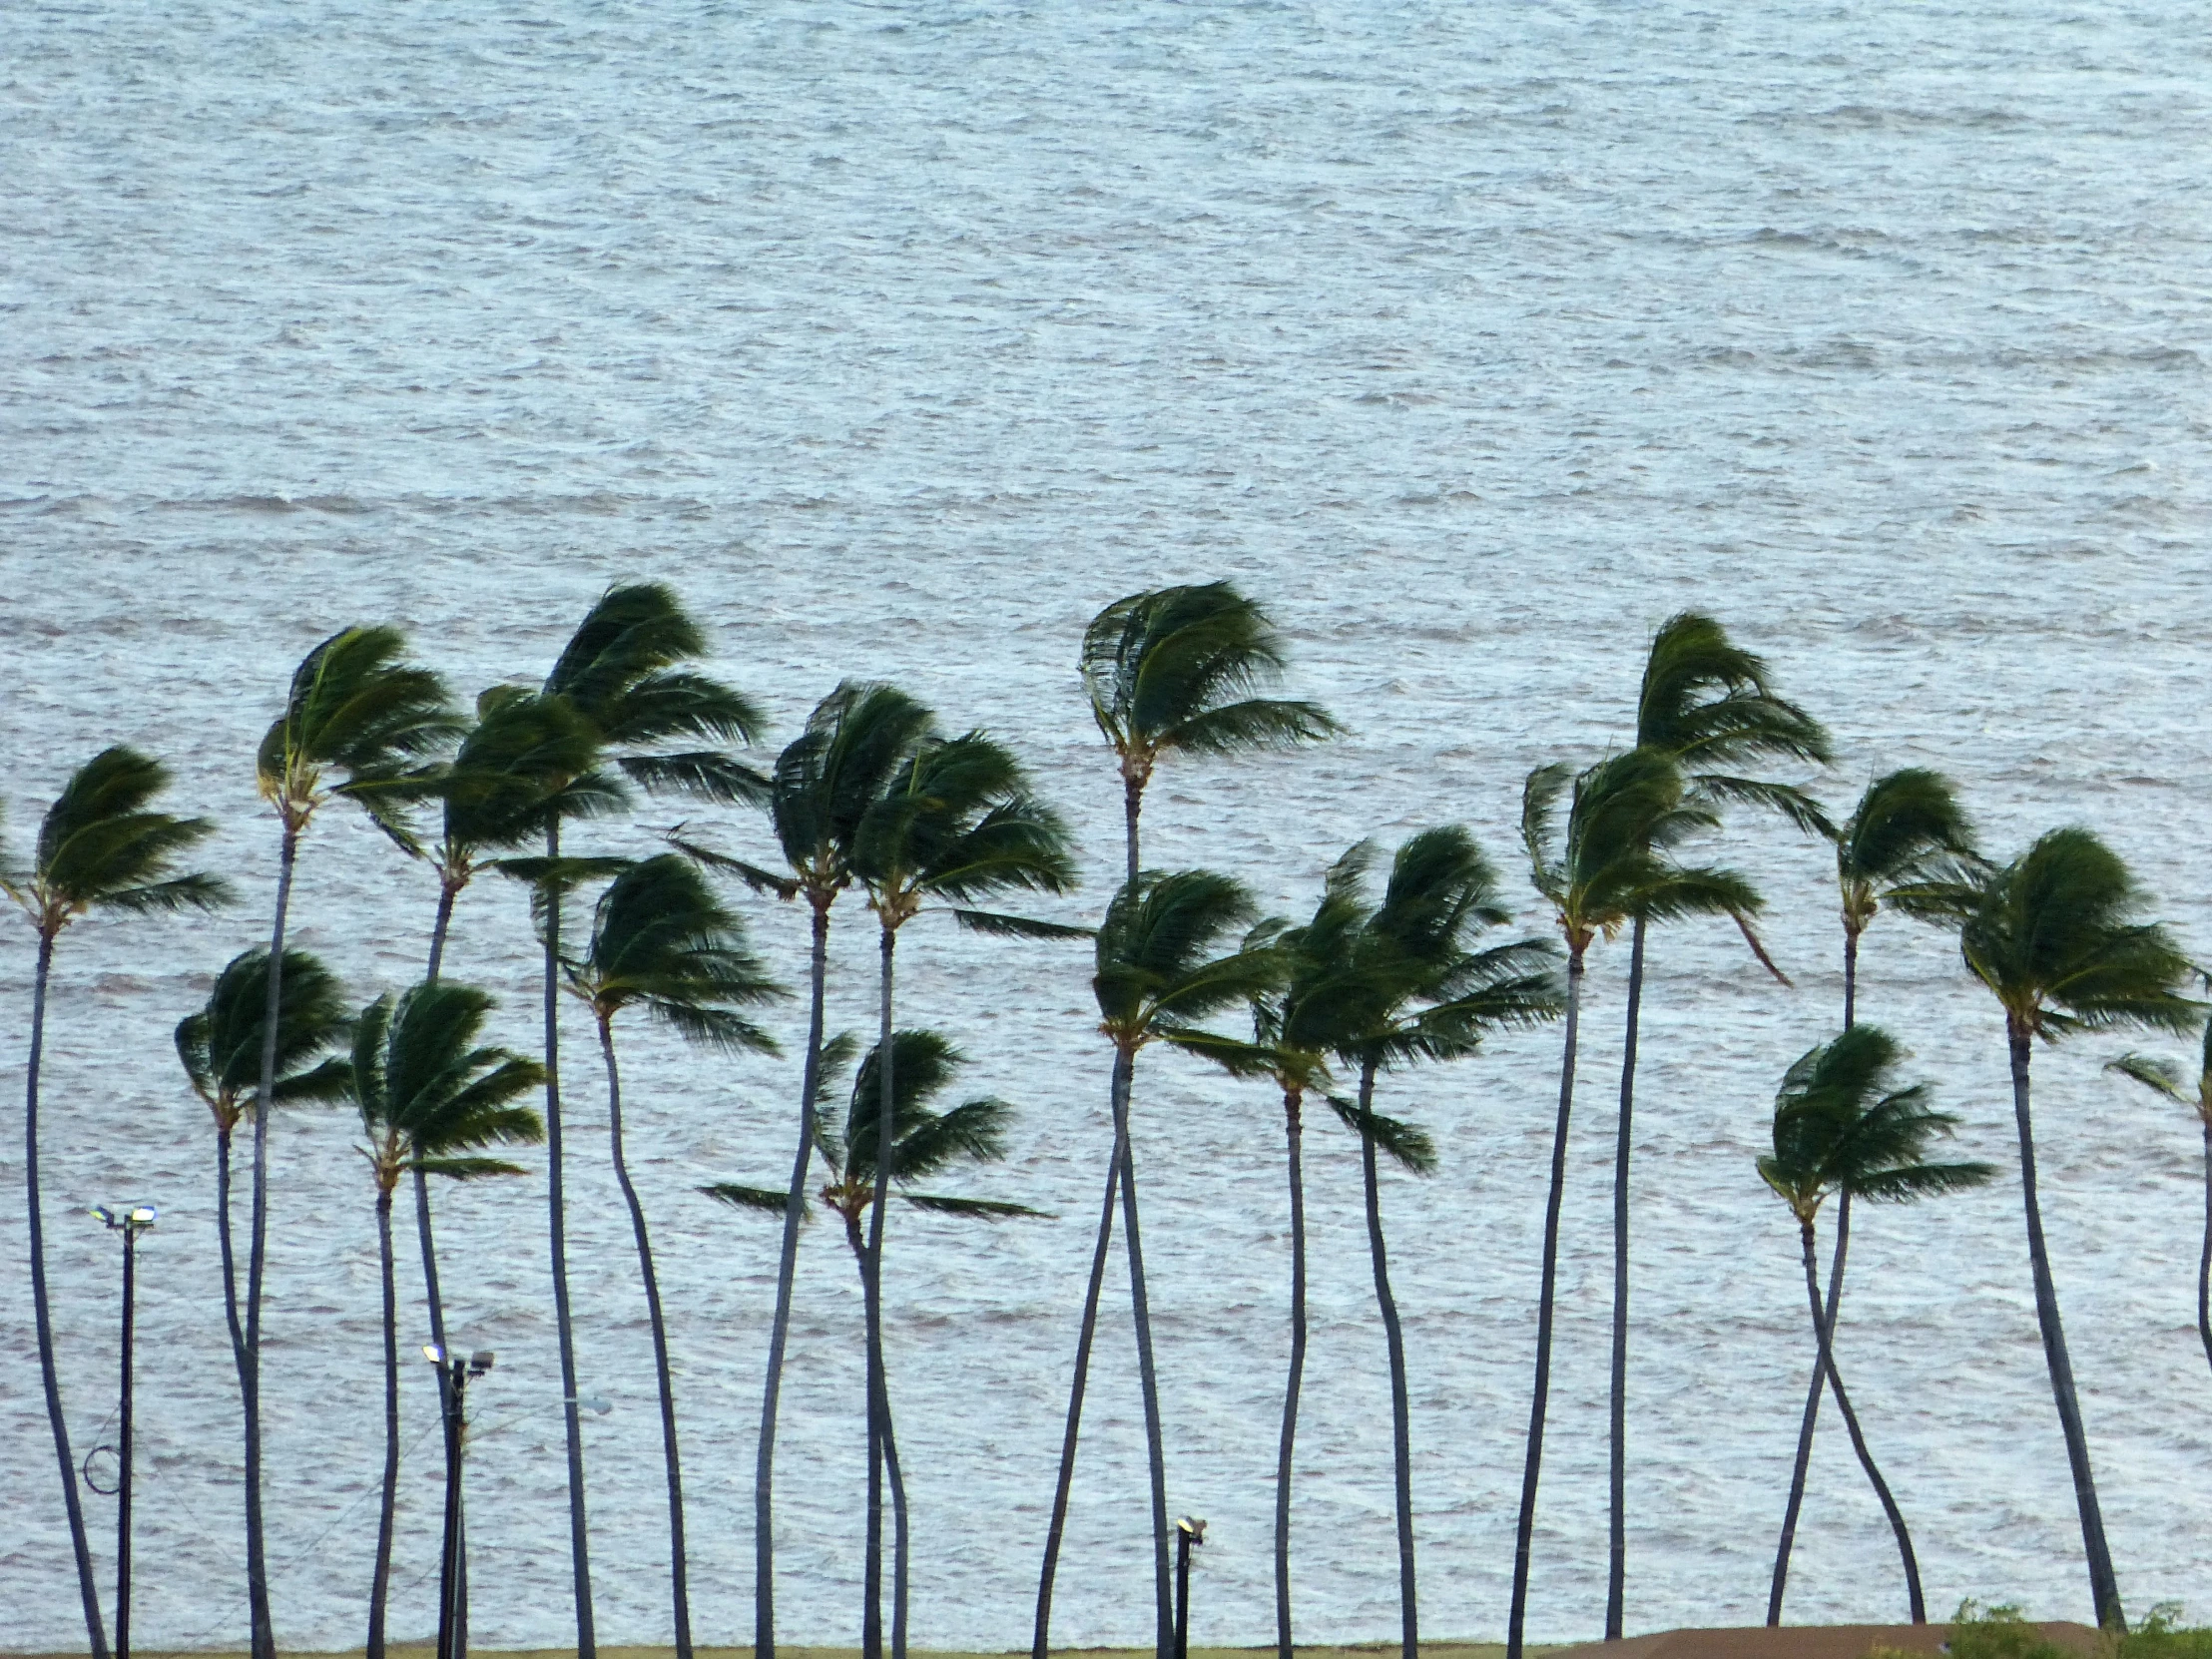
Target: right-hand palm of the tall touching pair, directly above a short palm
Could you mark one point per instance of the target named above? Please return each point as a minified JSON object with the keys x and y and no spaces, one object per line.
{"x":954,"y":824}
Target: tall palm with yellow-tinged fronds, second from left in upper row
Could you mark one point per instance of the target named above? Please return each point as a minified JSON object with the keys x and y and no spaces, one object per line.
{"x":359,"y":724}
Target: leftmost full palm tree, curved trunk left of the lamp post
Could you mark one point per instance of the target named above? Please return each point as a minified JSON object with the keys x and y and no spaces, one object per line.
{"x":101,"y":848}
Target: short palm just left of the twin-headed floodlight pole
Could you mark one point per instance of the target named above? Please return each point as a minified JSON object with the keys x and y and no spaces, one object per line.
{"x":430,"y":1100}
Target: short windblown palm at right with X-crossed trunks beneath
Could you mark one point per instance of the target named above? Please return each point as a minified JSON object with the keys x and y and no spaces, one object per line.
{"x":1844,"y":1129}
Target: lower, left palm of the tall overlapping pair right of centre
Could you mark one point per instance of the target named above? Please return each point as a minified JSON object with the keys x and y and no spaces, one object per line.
{"x":1603,"y":870}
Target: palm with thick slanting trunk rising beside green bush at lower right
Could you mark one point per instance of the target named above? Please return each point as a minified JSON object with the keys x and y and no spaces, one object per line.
{"x":2058,"y":941}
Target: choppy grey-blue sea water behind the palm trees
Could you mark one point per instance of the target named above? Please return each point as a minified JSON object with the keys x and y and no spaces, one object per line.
{"x":904,"y":337}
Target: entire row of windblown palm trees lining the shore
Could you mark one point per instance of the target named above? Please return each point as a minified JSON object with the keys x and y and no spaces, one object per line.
{"x":875,"y":797}
